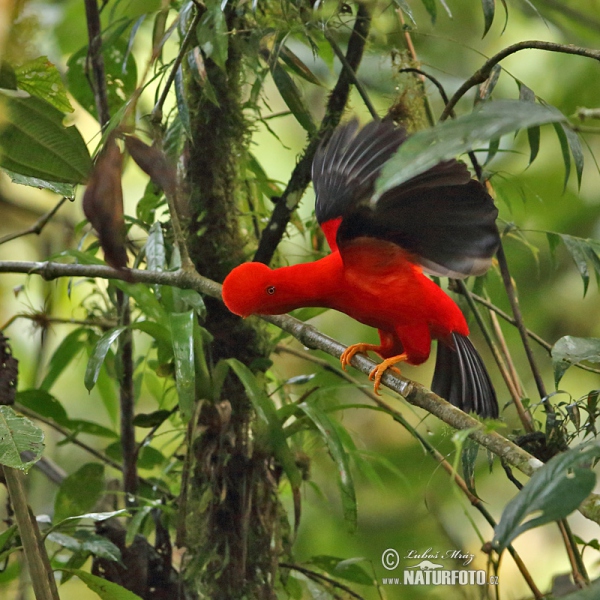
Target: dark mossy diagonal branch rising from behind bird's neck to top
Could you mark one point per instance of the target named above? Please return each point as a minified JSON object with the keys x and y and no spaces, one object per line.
{"x":301,"y":176}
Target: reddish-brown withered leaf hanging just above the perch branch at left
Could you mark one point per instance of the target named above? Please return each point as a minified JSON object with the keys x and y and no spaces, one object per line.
{"x":103,"y":204}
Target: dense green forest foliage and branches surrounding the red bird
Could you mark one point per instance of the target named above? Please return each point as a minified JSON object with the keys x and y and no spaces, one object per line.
{"x":172,"y":449}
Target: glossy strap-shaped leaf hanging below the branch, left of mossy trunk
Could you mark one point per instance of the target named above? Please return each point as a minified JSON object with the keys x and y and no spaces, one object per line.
{"x":182,"y":329}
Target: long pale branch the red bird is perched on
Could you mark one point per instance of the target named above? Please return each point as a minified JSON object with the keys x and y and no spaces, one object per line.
{"x":413,"y":392}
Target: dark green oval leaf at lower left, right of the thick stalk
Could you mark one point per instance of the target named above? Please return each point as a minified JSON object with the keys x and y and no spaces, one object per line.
{"x":79,"y":492}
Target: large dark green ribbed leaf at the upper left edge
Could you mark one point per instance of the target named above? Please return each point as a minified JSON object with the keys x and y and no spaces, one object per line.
{"x":35,"y":143}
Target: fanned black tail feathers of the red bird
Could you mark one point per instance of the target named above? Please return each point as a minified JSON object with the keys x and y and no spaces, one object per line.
{"x":461,"y":378}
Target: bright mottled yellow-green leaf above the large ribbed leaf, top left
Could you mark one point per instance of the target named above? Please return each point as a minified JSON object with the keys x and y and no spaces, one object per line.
{"x":39,"y":77}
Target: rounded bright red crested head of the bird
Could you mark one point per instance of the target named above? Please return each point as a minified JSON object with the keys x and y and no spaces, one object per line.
{"x":250,"y":289}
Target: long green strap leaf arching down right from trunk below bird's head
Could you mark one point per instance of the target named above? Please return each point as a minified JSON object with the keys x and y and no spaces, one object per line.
{"x":267,"y":413}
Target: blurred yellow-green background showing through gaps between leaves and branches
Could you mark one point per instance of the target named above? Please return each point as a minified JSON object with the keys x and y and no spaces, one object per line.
{"x":406,"y":502}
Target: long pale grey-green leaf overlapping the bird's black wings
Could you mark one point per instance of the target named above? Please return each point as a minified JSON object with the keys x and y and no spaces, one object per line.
{"x":427,"y":148}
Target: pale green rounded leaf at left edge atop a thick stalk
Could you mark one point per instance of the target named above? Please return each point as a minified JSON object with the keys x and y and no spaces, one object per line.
{"x":18,"y":434}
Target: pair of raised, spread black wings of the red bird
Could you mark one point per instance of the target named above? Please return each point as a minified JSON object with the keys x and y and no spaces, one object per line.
{"x":442,"y":217}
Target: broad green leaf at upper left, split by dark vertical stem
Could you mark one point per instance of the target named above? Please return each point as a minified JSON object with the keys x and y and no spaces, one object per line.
{"x":120,"y":70}
